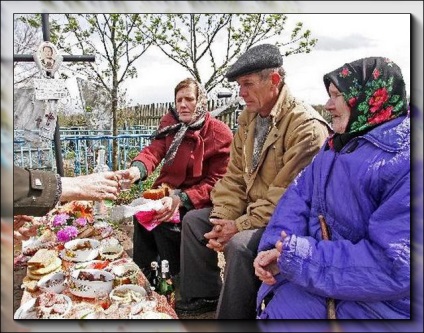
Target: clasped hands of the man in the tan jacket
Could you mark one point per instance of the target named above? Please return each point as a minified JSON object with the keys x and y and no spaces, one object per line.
{"x":220,"y":234}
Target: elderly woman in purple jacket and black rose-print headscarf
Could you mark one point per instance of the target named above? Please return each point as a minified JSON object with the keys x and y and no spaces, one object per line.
{"x":338,"y":243}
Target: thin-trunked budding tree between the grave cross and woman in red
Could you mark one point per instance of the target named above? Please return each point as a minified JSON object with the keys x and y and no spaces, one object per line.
{"x":117,"y":42}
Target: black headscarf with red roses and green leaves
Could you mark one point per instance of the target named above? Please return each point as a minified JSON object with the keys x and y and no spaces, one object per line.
{"x":375,"y":91}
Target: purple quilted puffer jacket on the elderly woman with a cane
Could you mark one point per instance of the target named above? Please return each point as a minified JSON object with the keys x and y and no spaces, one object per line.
{"x":364,"y":194}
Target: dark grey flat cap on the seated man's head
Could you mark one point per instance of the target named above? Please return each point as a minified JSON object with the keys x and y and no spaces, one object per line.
{"x":255,"y":59}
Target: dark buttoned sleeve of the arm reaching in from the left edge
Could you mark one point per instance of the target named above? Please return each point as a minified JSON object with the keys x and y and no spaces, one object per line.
{"x":35,"y":192}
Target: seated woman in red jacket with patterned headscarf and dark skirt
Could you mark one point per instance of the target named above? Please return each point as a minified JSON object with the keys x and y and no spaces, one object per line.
{"x":195,"y":149}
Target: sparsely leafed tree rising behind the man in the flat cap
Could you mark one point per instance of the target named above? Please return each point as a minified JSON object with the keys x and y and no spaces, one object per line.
{"x":217,"y":39}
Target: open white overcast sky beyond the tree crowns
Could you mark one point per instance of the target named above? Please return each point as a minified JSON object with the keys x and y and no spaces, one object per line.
{"x":341,"y":38}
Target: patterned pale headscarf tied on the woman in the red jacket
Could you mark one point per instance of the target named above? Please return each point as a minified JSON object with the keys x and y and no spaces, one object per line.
{"x":181,"y":128}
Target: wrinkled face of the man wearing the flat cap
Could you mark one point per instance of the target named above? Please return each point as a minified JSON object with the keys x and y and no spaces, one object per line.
{"x":257,"y":92}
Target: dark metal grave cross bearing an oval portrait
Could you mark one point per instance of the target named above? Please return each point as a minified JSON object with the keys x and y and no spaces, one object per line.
{"x":47,"y":66}
